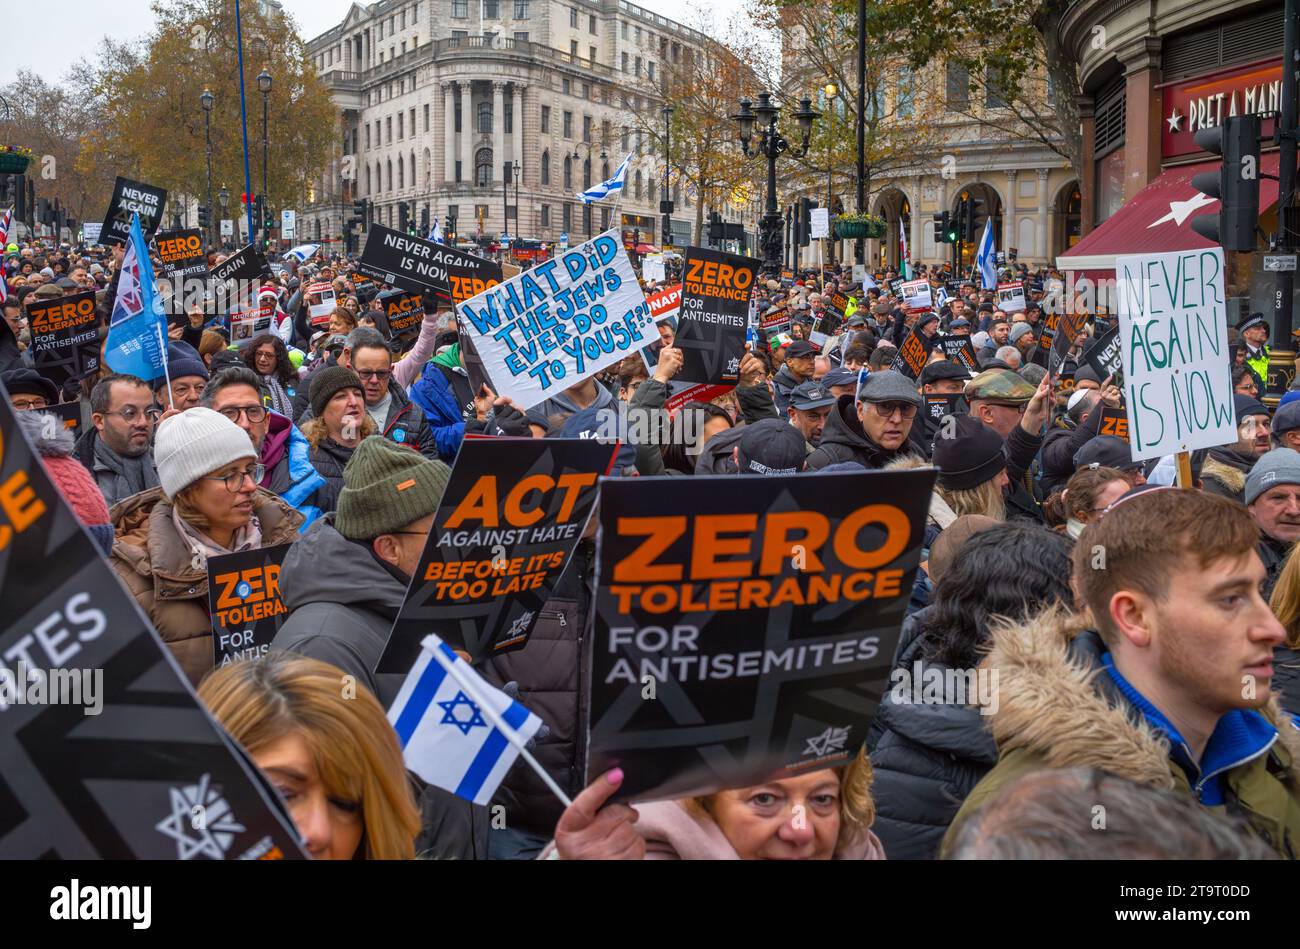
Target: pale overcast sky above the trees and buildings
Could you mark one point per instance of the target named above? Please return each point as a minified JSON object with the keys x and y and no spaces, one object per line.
{"x":49,"y":38}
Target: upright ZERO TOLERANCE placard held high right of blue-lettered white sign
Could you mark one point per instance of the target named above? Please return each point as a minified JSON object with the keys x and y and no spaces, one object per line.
{"x":716,"y":291}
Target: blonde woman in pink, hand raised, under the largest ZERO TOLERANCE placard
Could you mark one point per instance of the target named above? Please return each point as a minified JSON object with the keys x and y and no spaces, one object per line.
{"x":818,"y":816}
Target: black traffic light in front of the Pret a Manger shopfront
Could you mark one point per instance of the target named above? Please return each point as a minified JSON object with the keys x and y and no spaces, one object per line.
{"x":1236,"y":184}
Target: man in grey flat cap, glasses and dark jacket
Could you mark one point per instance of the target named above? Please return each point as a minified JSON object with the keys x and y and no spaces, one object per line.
{"x":874,"y":432}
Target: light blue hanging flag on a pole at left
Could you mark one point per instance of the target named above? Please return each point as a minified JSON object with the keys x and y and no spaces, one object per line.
{"x":137,"y":333}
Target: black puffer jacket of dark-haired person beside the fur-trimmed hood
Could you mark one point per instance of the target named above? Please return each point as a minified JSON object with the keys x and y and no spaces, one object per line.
{"x":928,"y":759}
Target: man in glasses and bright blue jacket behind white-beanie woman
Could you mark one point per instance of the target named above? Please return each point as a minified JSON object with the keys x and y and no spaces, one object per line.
{"x":240,"y":396}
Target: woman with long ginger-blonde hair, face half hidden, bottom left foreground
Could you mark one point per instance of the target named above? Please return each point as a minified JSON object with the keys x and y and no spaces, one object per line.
{"x":332,"y":756}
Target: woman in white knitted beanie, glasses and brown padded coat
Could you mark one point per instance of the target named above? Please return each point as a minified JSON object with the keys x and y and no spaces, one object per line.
{"x":207,"y":505}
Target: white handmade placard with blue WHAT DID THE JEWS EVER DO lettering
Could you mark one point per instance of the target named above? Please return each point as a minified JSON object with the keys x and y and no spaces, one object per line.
{"x":561,"y":323}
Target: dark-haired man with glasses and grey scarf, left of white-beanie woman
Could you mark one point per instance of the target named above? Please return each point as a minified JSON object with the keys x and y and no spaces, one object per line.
{"x":118,"y":452}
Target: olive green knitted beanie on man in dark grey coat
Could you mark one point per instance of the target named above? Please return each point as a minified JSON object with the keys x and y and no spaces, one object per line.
{"x":385,"y":488}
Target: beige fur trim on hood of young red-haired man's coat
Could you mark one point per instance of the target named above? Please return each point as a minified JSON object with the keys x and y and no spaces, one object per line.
{"x":1052,"y":705}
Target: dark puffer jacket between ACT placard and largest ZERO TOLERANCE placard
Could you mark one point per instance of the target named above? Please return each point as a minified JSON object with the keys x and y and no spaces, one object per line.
{"x":549,"y":678}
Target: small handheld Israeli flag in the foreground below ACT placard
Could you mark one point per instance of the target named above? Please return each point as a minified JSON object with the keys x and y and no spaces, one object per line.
{"x":454,"y":727}
